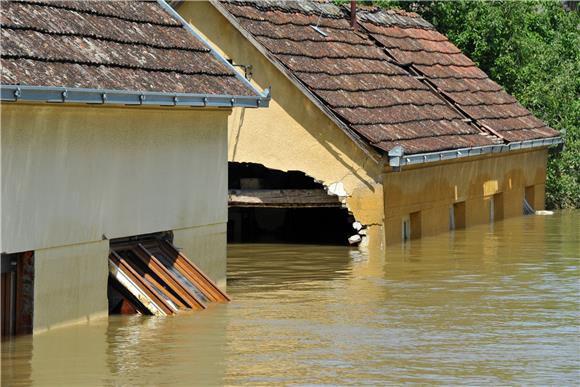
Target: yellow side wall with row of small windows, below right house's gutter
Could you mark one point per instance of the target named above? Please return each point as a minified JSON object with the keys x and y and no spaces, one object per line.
{"x":433,"y":188}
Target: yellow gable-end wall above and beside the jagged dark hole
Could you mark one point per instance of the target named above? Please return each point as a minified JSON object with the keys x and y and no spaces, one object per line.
{"x":292,"y":134}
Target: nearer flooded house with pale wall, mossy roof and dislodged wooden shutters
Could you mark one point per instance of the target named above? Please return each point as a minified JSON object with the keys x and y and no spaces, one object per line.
{"x":114,"y":133}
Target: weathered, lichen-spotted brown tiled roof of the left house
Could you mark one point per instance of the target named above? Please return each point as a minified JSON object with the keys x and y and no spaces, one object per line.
{"x":116,"y":45}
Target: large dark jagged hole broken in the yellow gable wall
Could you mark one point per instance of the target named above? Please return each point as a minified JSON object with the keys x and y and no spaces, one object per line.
{"x":272,"y":206}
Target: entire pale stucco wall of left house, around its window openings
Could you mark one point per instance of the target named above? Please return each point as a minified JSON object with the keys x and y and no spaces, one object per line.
{"x":75,"y":175}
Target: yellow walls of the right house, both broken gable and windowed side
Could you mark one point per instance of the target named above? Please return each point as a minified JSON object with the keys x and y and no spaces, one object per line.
{"x":294,"y":134}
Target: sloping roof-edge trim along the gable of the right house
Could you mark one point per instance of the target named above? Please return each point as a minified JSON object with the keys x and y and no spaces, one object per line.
{"x":373,"y":153}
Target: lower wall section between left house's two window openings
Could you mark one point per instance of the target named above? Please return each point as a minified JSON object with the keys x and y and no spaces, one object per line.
{"x":70,"y":285}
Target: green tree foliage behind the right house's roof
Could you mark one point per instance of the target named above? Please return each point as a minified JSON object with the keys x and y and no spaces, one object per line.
{"x":532,"y":49}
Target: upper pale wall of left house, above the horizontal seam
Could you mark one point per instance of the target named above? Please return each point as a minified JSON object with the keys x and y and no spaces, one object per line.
{"x":73,"y":174}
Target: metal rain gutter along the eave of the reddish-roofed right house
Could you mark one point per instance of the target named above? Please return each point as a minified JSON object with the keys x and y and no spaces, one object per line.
{"x":397,"y":158}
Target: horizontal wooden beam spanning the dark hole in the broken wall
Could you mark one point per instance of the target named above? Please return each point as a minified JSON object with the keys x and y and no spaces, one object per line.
{"x":282,"y":198}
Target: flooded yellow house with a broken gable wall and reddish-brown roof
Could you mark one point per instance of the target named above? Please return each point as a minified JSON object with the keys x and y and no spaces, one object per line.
{"x":375,"y":109}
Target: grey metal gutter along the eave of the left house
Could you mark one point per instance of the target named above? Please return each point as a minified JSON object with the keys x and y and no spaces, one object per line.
{"x":54,"y":94}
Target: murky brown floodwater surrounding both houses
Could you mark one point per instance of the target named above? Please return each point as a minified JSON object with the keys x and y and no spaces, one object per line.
{"x":491,"y":305}
